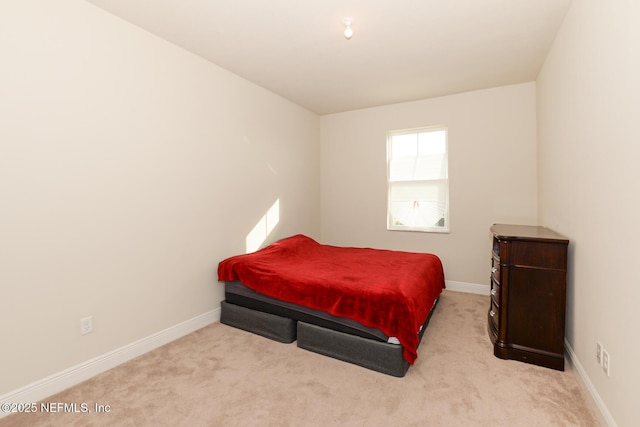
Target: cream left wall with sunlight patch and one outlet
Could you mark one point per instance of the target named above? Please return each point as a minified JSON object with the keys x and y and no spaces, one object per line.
{"x":128,"y":169}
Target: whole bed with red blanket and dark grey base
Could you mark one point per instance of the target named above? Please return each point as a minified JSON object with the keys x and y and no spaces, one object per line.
{"x":361,"y":305}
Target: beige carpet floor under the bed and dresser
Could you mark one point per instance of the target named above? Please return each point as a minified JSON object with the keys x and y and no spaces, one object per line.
{"x":221,"y":376}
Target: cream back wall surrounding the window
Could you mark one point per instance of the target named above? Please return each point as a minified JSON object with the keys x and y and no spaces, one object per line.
{"x":492,"y":172}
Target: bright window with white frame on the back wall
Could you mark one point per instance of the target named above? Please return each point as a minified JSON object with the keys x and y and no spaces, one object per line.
{"x":418,"y":180}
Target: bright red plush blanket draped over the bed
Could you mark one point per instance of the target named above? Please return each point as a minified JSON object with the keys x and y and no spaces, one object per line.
{"x":389,"y":290}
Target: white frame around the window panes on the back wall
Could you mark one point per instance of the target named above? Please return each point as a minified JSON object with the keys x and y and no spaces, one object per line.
{"x":442,"y":183}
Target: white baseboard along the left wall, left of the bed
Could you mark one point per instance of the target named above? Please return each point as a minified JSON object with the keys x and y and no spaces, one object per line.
{"x":69,"y":377}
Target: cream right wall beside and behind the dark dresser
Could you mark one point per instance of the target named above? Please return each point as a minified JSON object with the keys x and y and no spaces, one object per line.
{"x":589,"y":149}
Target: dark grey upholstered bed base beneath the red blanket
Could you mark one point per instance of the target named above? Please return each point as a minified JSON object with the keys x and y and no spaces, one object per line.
{"x":372,"y":354}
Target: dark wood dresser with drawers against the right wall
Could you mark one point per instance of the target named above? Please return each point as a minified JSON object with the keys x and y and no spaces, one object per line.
{"x":528,"y":294}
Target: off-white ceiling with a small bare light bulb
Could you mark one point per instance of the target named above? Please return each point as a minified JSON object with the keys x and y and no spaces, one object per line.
{"x":401,"y":50}
